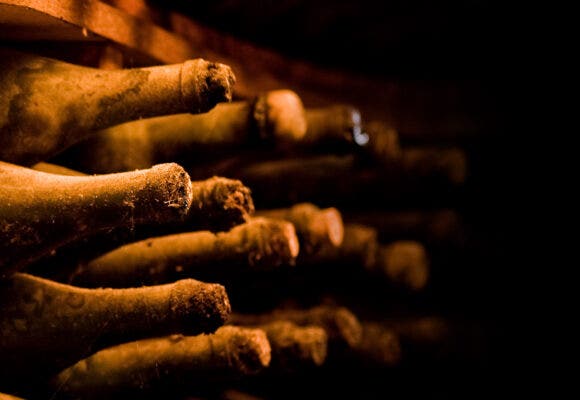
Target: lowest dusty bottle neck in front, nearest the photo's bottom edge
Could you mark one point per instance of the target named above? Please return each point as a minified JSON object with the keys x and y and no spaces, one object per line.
{"x":159,"y":366}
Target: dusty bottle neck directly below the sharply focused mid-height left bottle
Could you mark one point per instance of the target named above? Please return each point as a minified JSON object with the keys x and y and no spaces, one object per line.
{"x":260,"y":244}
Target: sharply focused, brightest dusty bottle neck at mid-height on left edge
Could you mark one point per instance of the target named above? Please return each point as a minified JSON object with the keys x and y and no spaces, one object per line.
{"x":40,"y":211}
